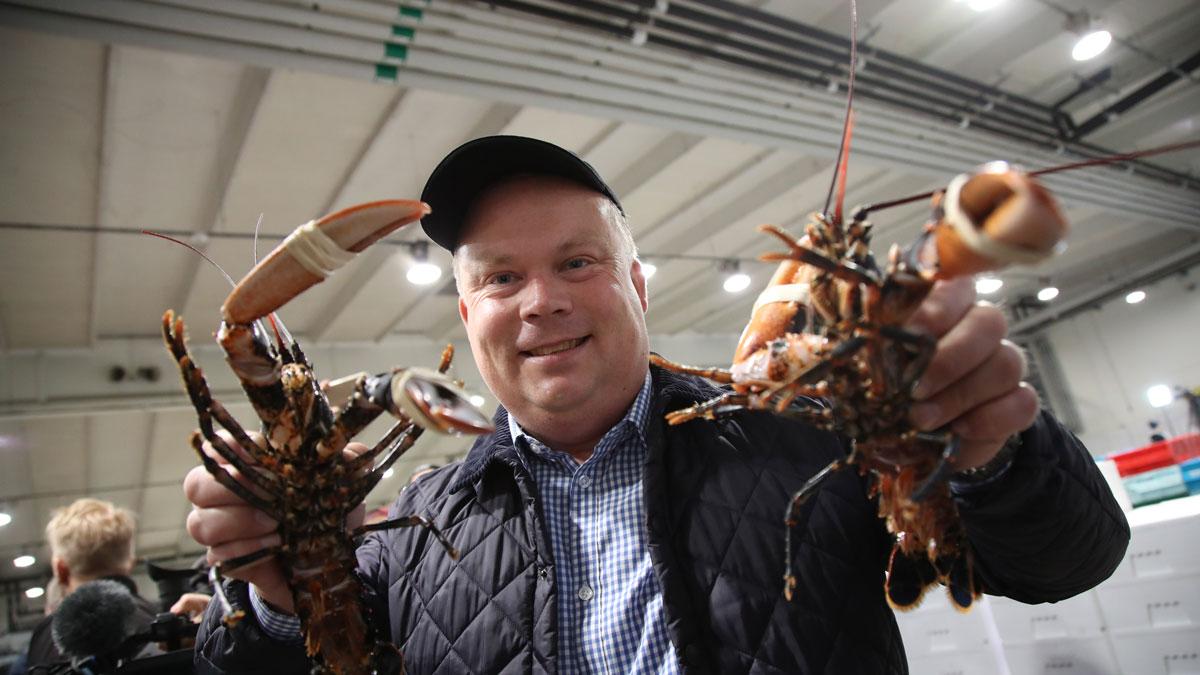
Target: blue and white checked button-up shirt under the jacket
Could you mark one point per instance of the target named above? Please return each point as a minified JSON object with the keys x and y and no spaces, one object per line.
{"x":610,"y":605}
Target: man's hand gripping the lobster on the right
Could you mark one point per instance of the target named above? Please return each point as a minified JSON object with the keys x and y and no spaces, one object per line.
{"x":974,"y":384}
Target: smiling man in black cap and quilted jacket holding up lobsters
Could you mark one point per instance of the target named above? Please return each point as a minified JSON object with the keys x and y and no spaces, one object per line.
{"x":596,"y":537}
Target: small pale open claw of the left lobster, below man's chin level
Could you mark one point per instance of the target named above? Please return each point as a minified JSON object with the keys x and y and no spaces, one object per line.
{"x":436,"y":403}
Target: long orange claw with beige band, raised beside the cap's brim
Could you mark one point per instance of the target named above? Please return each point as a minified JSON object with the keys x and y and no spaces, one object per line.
{"x":313,"y":253}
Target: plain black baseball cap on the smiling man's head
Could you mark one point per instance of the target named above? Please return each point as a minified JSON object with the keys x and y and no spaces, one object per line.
{"x":477,"y":165}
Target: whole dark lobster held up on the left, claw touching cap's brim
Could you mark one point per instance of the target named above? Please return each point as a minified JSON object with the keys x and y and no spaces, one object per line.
{"x":298,"y":474}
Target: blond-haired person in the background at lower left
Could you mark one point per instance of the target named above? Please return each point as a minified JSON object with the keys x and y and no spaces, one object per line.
{"x":89,"y":540}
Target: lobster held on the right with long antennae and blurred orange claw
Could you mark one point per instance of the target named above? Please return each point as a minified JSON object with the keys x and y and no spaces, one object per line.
{"x":826,"y":344}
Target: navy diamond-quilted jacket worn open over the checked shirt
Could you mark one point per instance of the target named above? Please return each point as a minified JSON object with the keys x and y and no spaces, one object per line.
{"x":716,"y":495}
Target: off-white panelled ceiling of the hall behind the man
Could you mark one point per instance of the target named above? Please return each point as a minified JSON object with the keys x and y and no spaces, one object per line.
{"x":197,"y":118}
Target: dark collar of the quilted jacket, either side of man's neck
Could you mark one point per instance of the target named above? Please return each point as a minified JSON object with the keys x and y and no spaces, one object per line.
{"x":670,"y":391}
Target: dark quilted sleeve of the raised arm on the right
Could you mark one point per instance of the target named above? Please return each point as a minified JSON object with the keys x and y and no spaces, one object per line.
{"x":1051,"y":529}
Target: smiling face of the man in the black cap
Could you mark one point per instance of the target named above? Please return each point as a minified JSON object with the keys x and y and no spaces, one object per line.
{"x":554,"y":304}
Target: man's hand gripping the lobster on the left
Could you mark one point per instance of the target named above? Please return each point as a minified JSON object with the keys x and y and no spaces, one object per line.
{"x":230,"y":528}
